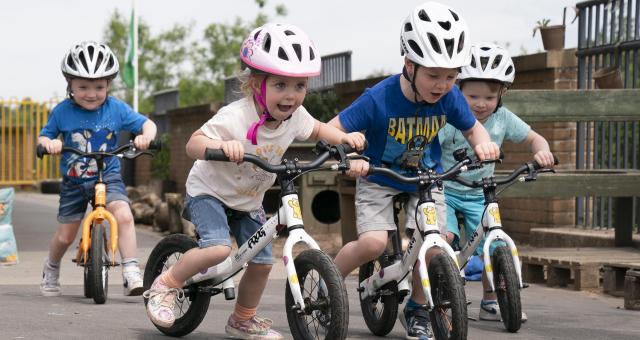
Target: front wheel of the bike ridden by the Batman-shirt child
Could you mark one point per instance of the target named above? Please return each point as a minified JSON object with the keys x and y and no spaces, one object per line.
{"x":449,"y":313}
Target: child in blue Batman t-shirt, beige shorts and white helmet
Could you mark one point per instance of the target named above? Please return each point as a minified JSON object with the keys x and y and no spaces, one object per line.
{"x":401,"y":117}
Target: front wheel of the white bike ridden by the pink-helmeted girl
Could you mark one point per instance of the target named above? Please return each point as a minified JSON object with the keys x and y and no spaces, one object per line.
{"x":326,"y":314}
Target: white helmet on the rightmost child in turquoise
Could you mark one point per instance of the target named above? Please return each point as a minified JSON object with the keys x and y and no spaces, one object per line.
{"x":490,"y":62}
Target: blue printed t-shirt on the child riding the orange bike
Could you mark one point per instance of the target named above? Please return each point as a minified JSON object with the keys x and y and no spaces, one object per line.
{"x":90,"y":131}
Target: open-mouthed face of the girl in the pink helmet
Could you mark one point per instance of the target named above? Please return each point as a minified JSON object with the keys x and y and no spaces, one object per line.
{"x":285,"y":95}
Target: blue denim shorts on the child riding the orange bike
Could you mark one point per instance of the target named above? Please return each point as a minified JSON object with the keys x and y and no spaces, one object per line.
{"x":74,"y":197}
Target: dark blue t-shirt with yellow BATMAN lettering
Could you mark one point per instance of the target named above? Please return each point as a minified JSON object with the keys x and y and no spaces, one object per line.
{"x":402,"y":134}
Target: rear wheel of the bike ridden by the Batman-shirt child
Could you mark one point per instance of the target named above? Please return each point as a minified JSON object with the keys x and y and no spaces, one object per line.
{"x":379,"y":311}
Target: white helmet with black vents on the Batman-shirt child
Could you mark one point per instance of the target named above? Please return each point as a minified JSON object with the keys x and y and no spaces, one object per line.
{"x":434,"y":35}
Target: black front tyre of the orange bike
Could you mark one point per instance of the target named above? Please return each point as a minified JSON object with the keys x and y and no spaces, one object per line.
{"x":99,"y":265}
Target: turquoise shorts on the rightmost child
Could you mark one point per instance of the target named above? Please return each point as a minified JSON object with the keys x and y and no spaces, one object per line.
{"x":472,"y":207}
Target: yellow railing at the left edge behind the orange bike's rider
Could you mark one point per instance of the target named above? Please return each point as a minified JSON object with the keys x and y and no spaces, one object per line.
{"x":20,"y":124}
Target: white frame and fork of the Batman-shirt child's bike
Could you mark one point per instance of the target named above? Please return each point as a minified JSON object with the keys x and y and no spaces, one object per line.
{"x":427,"y":236}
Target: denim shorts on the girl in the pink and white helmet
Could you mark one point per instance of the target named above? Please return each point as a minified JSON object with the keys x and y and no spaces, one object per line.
{"x":214,"y":222}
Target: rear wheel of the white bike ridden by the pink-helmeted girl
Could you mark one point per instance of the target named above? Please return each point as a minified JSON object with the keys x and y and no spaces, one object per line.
{"x":191,"y":310}
